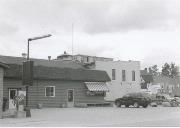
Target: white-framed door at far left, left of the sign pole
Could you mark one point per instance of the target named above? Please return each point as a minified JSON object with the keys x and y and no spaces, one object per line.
{"x":12,"y":94}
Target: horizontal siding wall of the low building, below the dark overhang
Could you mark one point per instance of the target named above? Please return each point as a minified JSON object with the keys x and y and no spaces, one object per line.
{"x":37,"y":92}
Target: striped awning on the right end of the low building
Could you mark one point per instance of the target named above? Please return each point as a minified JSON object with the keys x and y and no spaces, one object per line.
{"x":97,"y":86}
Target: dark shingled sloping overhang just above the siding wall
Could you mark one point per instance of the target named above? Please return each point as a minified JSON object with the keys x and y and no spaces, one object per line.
{"x":54,"y":73}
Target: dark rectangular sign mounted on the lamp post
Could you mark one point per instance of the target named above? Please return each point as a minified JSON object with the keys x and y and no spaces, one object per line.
{"x":27,"y":76}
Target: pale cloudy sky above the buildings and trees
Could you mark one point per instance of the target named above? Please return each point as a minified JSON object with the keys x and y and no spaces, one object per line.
{"x":141,"y":30}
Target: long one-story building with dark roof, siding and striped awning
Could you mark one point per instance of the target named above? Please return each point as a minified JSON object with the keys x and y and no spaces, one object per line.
{"x":56,"y":86}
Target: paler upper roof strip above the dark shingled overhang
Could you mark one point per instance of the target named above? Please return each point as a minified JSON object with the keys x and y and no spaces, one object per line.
{"x":42,"y":62}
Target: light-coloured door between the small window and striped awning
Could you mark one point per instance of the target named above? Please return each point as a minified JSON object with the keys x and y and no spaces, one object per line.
{"x":70,"y":98}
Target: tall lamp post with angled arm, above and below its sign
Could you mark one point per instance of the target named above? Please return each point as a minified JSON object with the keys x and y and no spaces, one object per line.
{"x":27,"y":86}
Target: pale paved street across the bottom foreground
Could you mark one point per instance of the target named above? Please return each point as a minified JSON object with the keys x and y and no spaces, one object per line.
{"x":101,"y":116}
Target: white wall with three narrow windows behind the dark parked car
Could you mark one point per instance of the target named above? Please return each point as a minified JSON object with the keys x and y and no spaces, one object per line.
{"x":117,"y":87}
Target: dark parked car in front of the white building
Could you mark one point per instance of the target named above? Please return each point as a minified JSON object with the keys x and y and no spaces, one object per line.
{"x":135,"y":99}
